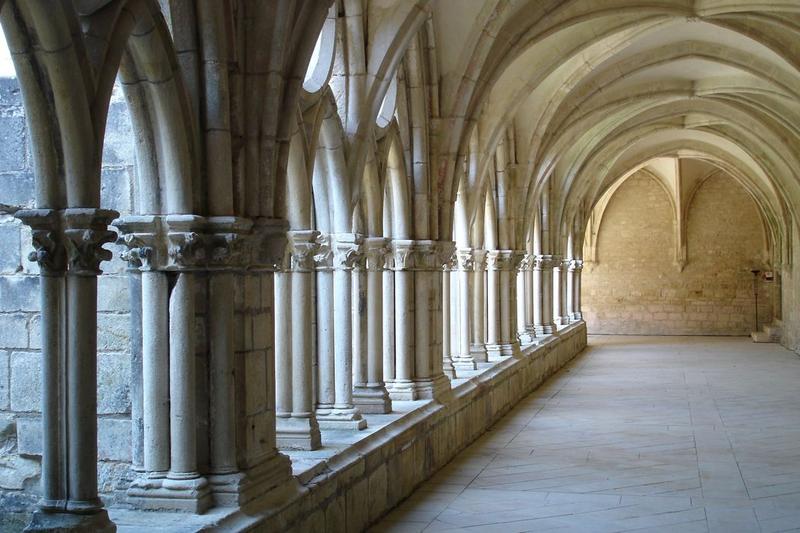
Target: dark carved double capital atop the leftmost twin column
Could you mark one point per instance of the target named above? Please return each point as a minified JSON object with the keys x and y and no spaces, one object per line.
{"x":69,"y":240}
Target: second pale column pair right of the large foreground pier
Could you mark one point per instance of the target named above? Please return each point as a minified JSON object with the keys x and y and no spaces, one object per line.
{"x":336,"y":408}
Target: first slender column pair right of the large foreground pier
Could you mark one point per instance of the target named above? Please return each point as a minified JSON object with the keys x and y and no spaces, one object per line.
{"x":297,"y":426}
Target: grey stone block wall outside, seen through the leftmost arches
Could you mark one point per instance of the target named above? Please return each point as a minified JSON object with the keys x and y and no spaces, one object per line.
{"x":20,"y":356}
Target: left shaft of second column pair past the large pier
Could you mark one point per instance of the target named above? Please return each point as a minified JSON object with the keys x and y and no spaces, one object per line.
{"x":325,"y":352}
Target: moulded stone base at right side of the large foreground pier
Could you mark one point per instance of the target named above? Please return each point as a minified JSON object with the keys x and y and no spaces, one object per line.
{"x":237,"y":488}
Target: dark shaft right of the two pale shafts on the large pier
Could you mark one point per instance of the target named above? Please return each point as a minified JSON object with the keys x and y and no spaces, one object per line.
{"x":222,"y":409}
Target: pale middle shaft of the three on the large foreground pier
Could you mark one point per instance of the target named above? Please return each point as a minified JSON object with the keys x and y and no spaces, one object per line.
{"x":183,"y":409}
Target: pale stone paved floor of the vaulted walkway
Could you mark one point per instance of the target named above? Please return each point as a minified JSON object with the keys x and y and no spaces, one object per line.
{"x":637,"y":434}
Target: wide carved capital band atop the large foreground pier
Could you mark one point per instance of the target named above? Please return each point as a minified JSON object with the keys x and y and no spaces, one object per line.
{"x":192,"y":243}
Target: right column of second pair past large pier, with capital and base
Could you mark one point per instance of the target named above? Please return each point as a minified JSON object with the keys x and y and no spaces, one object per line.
{"x":344,"y":415}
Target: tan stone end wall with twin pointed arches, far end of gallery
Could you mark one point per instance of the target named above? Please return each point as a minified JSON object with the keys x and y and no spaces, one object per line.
{"x":636,"y":286}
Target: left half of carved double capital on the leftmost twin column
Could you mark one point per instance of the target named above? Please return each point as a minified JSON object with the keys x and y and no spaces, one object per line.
{"x":49,"y":251}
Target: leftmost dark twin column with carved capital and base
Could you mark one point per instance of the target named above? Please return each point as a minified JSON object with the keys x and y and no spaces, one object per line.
{"x":69,"y":249}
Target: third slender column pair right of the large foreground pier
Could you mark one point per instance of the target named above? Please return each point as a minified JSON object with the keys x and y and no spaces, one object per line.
{"x":370,"y":394}
